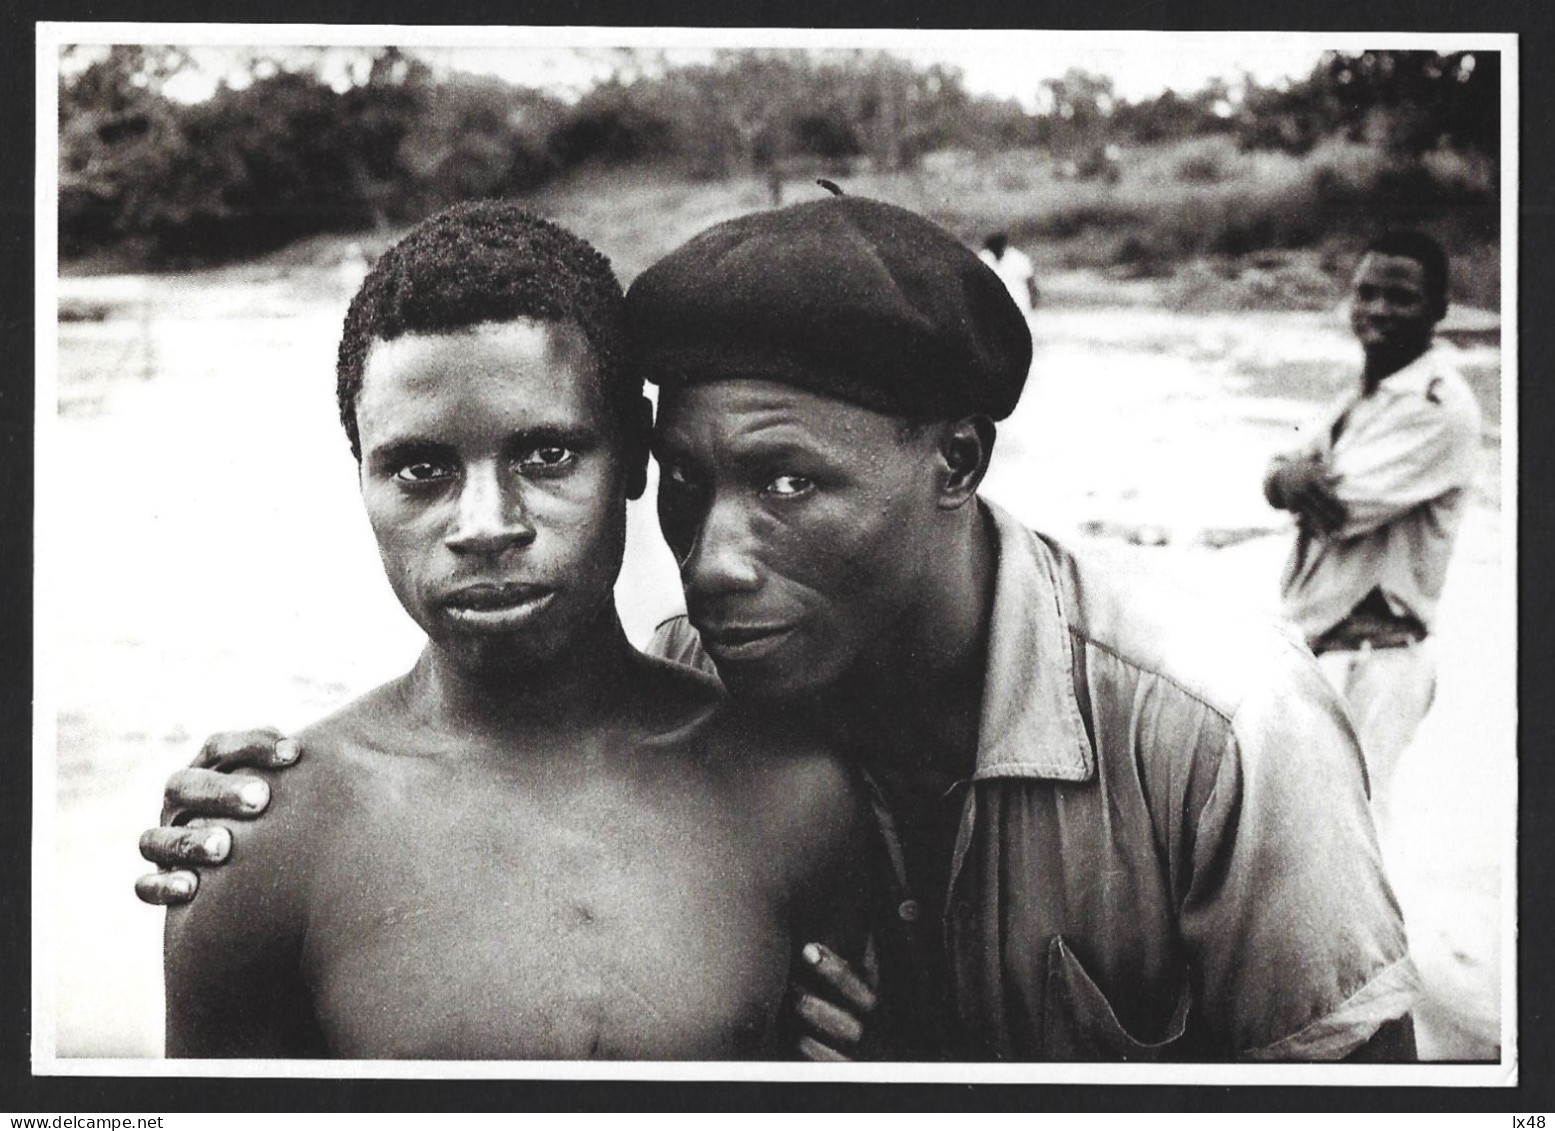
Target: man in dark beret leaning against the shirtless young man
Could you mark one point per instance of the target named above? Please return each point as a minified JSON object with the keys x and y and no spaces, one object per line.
{"x":1120,"y":824}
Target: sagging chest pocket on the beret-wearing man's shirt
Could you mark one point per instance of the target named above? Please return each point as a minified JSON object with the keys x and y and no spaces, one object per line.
{"x":1080,"y":1024}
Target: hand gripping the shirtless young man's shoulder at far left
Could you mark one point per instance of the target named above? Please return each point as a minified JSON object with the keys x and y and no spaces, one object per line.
{"x":204,"y":791}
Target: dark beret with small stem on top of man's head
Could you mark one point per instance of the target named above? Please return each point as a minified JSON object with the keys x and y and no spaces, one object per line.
{"x":845,"y":298}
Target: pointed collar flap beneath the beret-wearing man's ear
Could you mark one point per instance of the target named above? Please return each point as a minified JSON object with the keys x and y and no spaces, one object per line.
{"x":1030,"y":726}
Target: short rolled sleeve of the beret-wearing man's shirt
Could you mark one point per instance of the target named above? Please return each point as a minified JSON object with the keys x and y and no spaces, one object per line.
{"x":1296,"y":934}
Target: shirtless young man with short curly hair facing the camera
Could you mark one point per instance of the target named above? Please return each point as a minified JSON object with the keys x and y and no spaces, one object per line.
{"x":539,"y":842}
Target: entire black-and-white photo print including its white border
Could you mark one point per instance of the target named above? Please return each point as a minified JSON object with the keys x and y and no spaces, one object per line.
{"x":777,"y":555}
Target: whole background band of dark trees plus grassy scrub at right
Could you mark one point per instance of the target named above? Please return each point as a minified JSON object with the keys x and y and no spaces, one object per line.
{"x":284,"y":153}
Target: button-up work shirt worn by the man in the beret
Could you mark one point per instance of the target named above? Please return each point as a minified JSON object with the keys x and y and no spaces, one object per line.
{"x":1165,"y":850}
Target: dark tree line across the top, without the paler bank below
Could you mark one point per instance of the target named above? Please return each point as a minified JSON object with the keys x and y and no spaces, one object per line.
{"x":287,"y":155}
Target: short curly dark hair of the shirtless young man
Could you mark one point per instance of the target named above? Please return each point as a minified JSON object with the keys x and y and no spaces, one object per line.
{"x":487,"y":262}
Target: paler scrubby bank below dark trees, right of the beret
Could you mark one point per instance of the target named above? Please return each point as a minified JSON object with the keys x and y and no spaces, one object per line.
{"x":1259,"y":206}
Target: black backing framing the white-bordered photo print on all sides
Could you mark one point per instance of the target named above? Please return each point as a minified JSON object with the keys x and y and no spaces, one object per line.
{"x":24,"y":1094}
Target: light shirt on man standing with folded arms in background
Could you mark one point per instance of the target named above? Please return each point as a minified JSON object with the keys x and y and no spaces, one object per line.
{"x":1406,"y":457}
